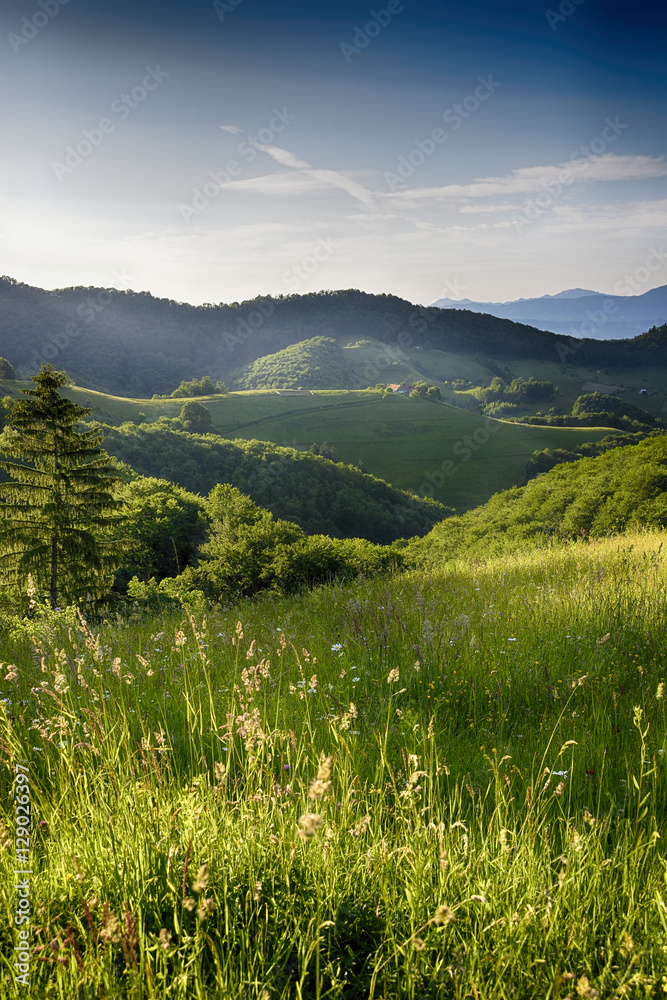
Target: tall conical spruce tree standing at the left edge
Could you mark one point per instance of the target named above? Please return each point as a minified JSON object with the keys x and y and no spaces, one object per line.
{"x":56,"y":511}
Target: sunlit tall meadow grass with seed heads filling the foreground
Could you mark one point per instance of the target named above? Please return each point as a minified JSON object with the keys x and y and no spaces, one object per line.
{"x":445,"y":785}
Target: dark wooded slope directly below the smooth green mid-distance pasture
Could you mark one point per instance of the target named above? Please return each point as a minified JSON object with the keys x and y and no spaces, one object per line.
{"x":322,"y":497}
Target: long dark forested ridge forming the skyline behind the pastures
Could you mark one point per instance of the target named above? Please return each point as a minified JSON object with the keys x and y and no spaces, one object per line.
{"x":131,"y":343}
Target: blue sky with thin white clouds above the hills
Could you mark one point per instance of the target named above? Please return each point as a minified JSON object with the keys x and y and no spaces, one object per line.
{"x":210,"y":152}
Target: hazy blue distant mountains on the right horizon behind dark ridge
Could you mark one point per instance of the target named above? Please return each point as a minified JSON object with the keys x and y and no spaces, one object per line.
{"x":578,"y":312}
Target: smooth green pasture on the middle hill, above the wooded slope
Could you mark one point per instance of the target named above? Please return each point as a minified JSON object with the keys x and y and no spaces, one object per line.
{"x":399,"y":439}
